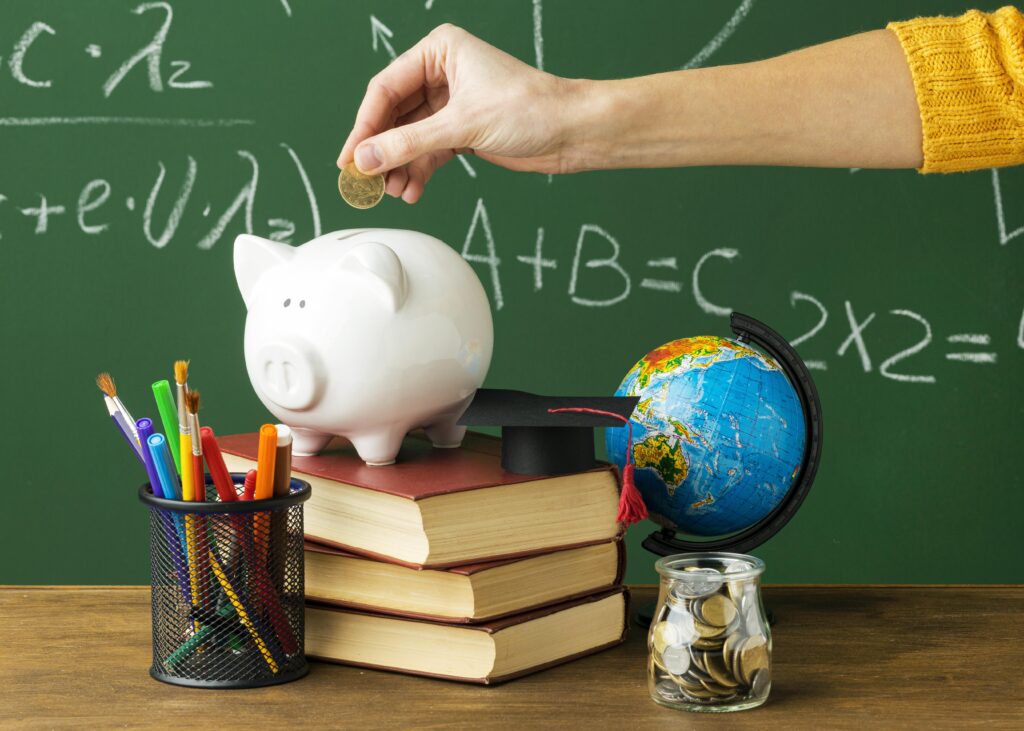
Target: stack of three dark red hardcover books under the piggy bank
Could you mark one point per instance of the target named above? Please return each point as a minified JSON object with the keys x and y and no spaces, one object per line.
{"x":447,"y":566}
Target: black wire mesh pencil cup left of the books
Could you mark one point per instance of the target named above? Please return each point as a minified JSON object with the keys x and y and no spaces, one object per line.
{"x":228,"y":589}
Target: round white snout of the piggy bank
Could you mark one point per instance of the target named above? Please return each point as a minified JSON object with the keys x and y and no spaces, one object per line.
{"x":289,"y":374}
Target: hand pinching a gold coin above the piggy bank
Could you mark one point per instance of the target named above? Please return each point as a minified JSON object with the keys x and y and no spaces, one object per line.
{"x":452,"y":94}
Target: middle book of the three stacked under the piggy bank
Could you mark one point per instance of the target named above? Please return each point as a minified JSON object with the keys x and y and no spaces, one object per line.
{"x":472,"y":593}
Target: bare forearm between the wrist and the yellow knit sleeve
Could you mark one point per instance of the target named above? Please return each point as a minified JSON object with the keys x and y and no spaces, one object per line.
{"x":846,"y":104}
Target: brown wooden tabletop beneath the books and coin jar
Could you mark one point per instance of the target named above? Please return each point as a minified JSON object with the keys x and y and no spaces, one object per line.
{"x":860,"y":658}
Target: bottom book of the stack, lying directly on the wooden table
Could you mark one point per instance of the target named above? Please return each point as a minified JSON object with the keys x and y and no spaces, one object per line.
{"x":487,"y":654}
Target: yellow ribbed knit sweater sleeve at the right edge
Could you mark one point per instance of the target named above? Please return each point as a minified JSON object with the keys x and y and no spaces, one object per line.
{"x":969,"y":77}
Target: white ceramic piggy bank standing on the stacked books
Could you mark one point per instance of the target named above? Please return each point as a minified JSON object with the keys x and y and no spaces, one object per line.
{"x":366,"y":334}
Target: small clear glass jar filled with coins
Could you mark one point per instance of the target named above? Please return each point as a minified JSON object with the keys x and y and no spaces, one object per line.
{"x":709,"y":646}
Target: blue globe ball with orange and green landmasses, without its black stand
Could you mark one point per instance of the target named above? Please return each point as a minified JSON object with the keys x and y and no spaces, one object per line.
{"x":718,"y":435}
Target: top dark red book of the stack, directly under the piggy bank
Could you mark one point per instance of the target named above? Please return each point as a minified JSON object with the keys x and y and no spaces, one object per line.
{"x":439,"y":508}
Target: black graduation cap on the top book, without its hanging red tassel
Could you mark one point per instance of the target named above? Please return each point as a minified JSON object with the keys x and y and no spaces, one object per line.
{"x":536,"y":442}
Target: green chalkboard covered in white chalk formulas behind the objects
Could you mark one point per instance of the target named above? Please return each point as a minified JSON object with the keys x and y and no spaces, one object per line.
{"x":121,"y":193}
